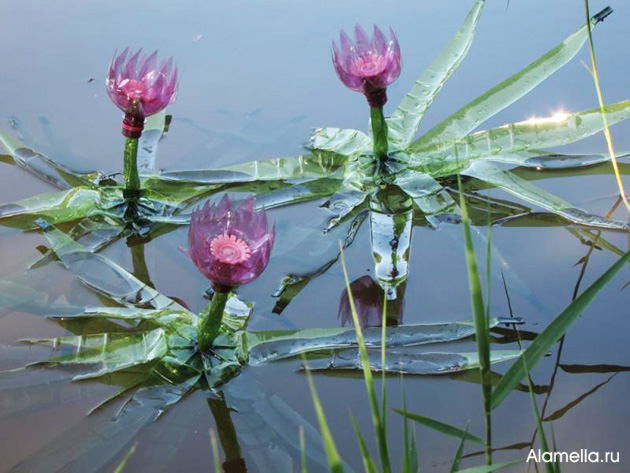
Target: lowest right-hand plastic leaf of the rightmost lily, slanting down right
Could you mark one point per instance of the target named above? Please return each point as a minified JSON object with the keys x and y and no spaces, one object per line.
{"x":494,"y":175}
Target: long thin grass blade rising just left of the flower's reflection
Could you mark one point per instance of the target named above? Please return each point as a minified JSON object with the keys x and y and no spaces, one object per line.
{"x":381,"y":435}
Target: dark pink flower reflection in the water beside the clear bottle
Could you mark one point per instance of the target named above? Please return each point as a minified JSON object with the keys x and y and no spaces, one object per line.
{"x":368,"y":299}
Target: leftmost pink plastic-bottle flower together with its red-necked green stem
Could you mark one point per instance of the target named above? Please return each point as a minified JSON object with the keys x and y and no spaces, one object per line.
{"x":139,"y":87}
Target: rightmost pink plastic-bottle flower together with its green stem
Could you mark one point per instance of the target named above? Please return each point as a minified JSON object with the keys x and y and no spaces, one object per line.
{"x":369,"y":66}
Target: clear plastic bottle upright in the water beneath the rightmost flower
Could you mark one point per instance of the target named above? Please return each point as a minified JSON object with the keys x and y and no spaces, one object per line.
{"x":391,"y":222}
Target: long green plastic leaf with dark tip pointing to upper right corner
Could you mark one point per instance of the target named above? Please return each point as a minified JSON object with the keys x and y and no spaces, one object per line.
{"x":468,"y":118}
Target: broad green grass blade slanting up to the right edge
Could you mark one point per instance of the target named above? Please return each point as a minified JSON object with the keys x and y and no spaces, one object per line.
{"x":548,"y":337}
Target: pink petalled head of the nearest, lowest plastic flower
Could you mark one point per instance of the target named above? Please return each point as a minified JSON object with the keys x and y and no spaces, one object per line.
{"x":229,"y":243}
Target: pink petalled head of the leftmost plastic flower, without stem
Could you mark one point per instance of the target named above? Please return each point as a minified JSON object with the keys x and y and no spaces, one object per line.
{"x":138,"y":85}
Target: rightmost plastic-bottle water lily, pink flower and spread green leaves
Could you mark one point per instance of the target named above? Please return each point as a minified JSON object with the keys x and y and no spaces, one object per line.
{"x":404,"y":180}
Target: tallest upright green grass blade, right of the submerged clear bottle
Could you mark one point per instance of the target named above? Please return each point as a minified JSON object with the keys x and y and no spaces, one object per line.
{"x":482,"y":332}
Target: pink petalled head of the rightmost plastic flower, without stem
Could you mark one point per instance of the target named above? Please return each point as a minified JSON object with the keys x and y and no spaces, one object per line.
{"x":367,"y":65}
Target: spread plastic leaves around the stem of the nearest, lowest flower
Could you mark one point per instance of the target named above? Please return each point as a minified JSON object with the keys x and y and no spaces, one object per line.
{"x":145,"y":343}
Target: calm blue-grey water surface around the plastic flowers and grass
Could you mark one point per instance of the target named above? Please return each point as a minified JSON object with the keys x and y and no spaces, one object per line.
{"x":256,"y":77}
